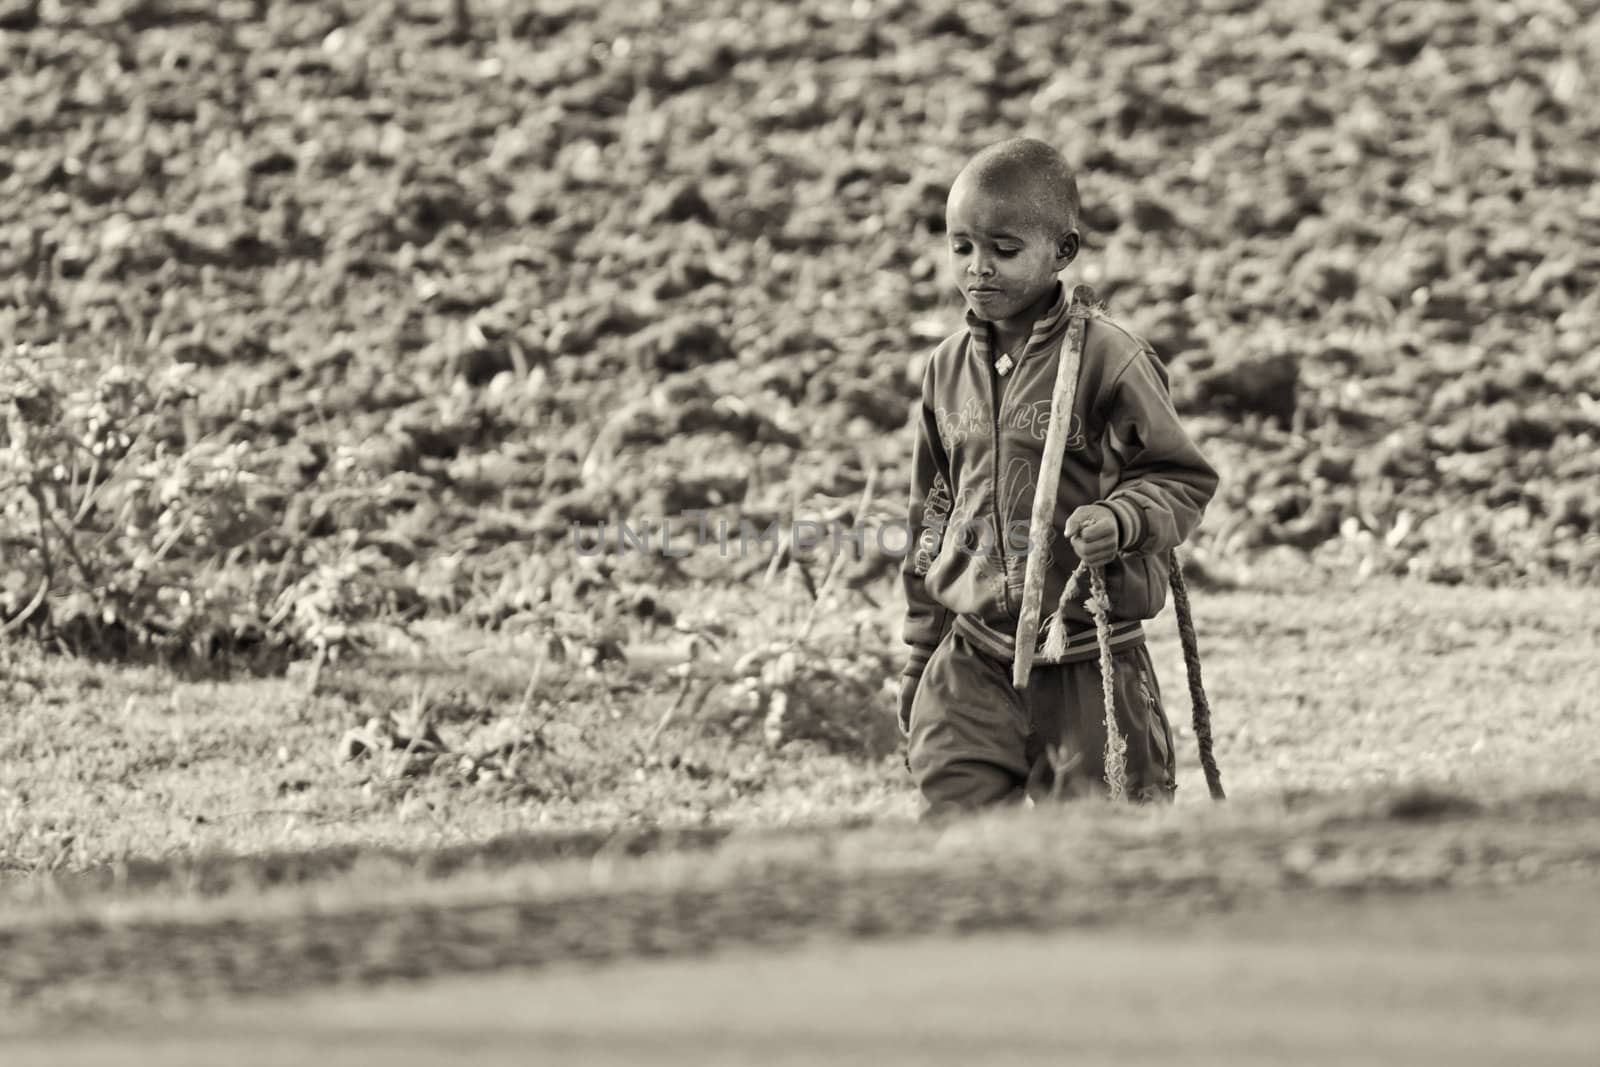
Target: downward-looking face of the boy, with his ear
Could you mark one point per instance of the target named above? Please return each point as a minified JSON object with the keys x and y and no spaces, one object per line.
{"x":1002,"y":257}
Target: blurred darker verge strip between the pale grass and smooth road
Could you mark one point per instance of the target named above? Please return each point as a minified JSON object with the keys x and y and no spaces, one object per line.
{"x":105,"y":956}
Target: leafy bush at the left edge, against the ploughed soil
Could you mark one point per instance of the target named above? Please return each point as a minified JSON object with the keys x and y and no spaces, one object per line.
{"x":118,"y":532}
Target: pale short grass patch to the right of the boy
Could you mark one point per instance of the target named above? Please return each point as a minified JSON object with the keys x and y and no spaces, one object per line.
{"x":1327,"y":690}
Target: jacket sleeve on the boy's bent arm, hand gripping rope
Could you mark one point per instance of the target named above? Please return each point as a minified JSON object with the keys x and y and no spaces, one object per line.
{"x":1164,"y":484}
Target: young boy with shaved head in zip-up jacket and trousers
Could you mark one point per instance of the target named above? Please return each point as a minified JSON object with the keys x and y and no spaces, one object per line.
{"x":1132,"y":487}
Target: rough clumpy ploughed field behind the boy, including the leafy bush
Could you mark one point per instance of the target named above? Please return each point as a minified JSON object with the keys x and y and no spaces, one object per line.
{"x":449,"y":279}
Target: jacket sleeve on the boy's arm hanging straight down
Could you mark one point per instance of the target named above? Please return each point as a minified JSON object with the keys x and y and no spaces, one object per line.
{"x":927,"y":516}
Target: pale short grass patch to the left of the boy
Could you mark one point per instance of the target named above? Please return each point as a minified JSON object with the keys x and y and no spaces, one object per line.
{"x":103,"y":765}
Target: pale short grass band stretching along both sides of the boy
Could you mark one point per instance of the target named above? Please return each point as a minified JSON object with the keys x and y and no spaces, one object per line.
{"x":1314,"y":692}
